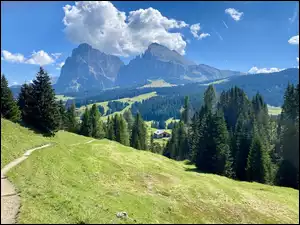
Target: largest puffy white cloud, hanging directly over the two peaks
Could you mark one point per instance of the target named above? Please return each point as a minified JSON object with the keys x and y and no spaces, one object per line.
{"x":110,"y":30}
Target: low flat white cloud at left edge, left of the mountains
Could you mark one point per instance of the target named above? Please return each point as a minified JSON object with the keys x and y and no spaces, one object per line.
{"x":37,"y":58}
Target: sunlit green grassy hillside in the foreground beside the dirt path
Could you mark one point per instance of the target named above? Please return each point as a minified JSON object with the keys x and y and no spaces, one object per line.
{"x":91,"y":182}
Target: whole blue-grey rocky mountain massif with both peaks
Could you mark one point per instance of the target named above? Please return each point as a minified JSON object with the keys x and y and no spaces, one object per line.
{"x":88,"y":68}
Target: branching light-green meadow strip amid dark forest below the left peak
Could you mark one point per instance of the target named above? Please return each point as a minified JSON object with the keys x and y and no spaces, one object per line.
{"x":132,"y":100}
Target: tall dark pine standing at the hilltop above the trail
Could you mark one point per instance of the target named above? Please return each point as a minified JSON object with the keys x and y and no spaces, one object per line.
{"x":45,"y":110}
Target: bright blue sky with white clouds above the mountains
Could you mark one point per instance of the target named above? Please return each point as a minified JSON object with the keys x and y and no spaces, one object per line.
{"x":248,"y":36}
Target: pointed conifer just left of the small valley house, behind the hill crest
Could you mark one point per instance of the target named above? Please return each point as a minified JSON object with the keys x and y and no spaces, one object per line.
{"x":139,"y":133}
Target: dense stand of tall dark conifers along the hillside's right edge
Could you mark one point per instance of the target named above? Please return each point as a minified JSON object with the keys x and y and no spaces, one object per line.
{"x":235,"y":137}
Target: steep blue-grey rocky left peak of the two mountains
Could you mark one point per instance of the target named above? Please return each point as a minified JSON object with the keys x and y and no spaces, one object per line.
{"x":88,"y":68}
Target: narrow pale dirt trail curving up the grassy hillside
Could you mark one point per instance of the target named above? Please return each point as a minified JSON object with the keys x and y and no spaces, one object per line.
{"x":10,"y":200}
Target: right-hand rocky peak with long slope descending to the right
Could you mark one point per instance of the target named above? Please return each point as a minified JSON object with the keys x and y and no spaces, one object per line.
{"x":159,"y":62}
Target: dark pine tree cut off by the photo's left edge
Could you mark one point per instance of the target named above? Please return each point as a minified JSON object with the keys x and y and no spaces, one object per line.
{"x":9,"y":107}
